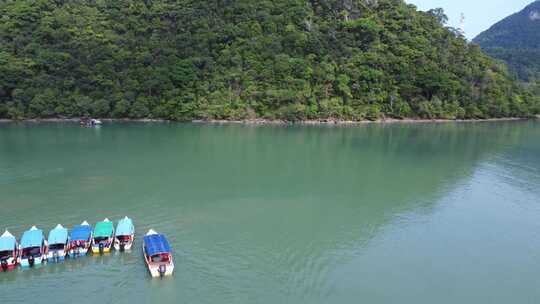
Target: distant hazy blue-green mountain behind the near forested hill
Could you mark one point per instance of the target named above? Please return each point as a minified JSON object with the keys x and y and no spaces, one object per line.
{"x":516,"y":40}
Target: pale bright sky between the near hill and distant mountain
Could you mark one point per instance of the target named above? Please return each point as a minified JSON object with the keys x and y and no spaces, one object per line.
{"x":479,"y":14}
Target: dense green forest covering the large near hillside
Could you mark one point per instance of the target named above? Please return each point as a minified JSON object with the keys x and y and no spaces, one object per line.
{"x":245,"y":59}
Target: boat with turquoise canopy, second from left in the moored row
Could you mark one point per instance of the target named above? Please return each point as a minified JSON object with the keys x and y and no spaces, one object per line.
{"x":33,"y":247}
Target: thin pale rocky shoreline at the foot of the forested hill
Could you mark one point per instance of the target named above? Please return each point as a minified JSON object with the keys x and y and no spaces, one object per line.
{"x":274,"y":122}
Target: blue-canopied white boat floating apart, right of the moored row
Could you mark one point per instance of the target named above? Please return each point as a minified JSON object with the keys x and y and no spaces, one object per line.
{"x":157,"y":254}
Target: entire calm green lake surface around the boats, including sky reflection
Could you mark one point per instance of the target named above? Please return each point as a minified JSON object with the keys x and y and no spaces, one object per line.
{"x":422,"y":213}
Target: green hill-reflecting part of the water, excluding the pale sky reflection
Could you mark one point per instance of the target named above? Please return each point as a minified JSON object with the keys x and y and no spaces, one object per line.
{"x":255,"y":213}
